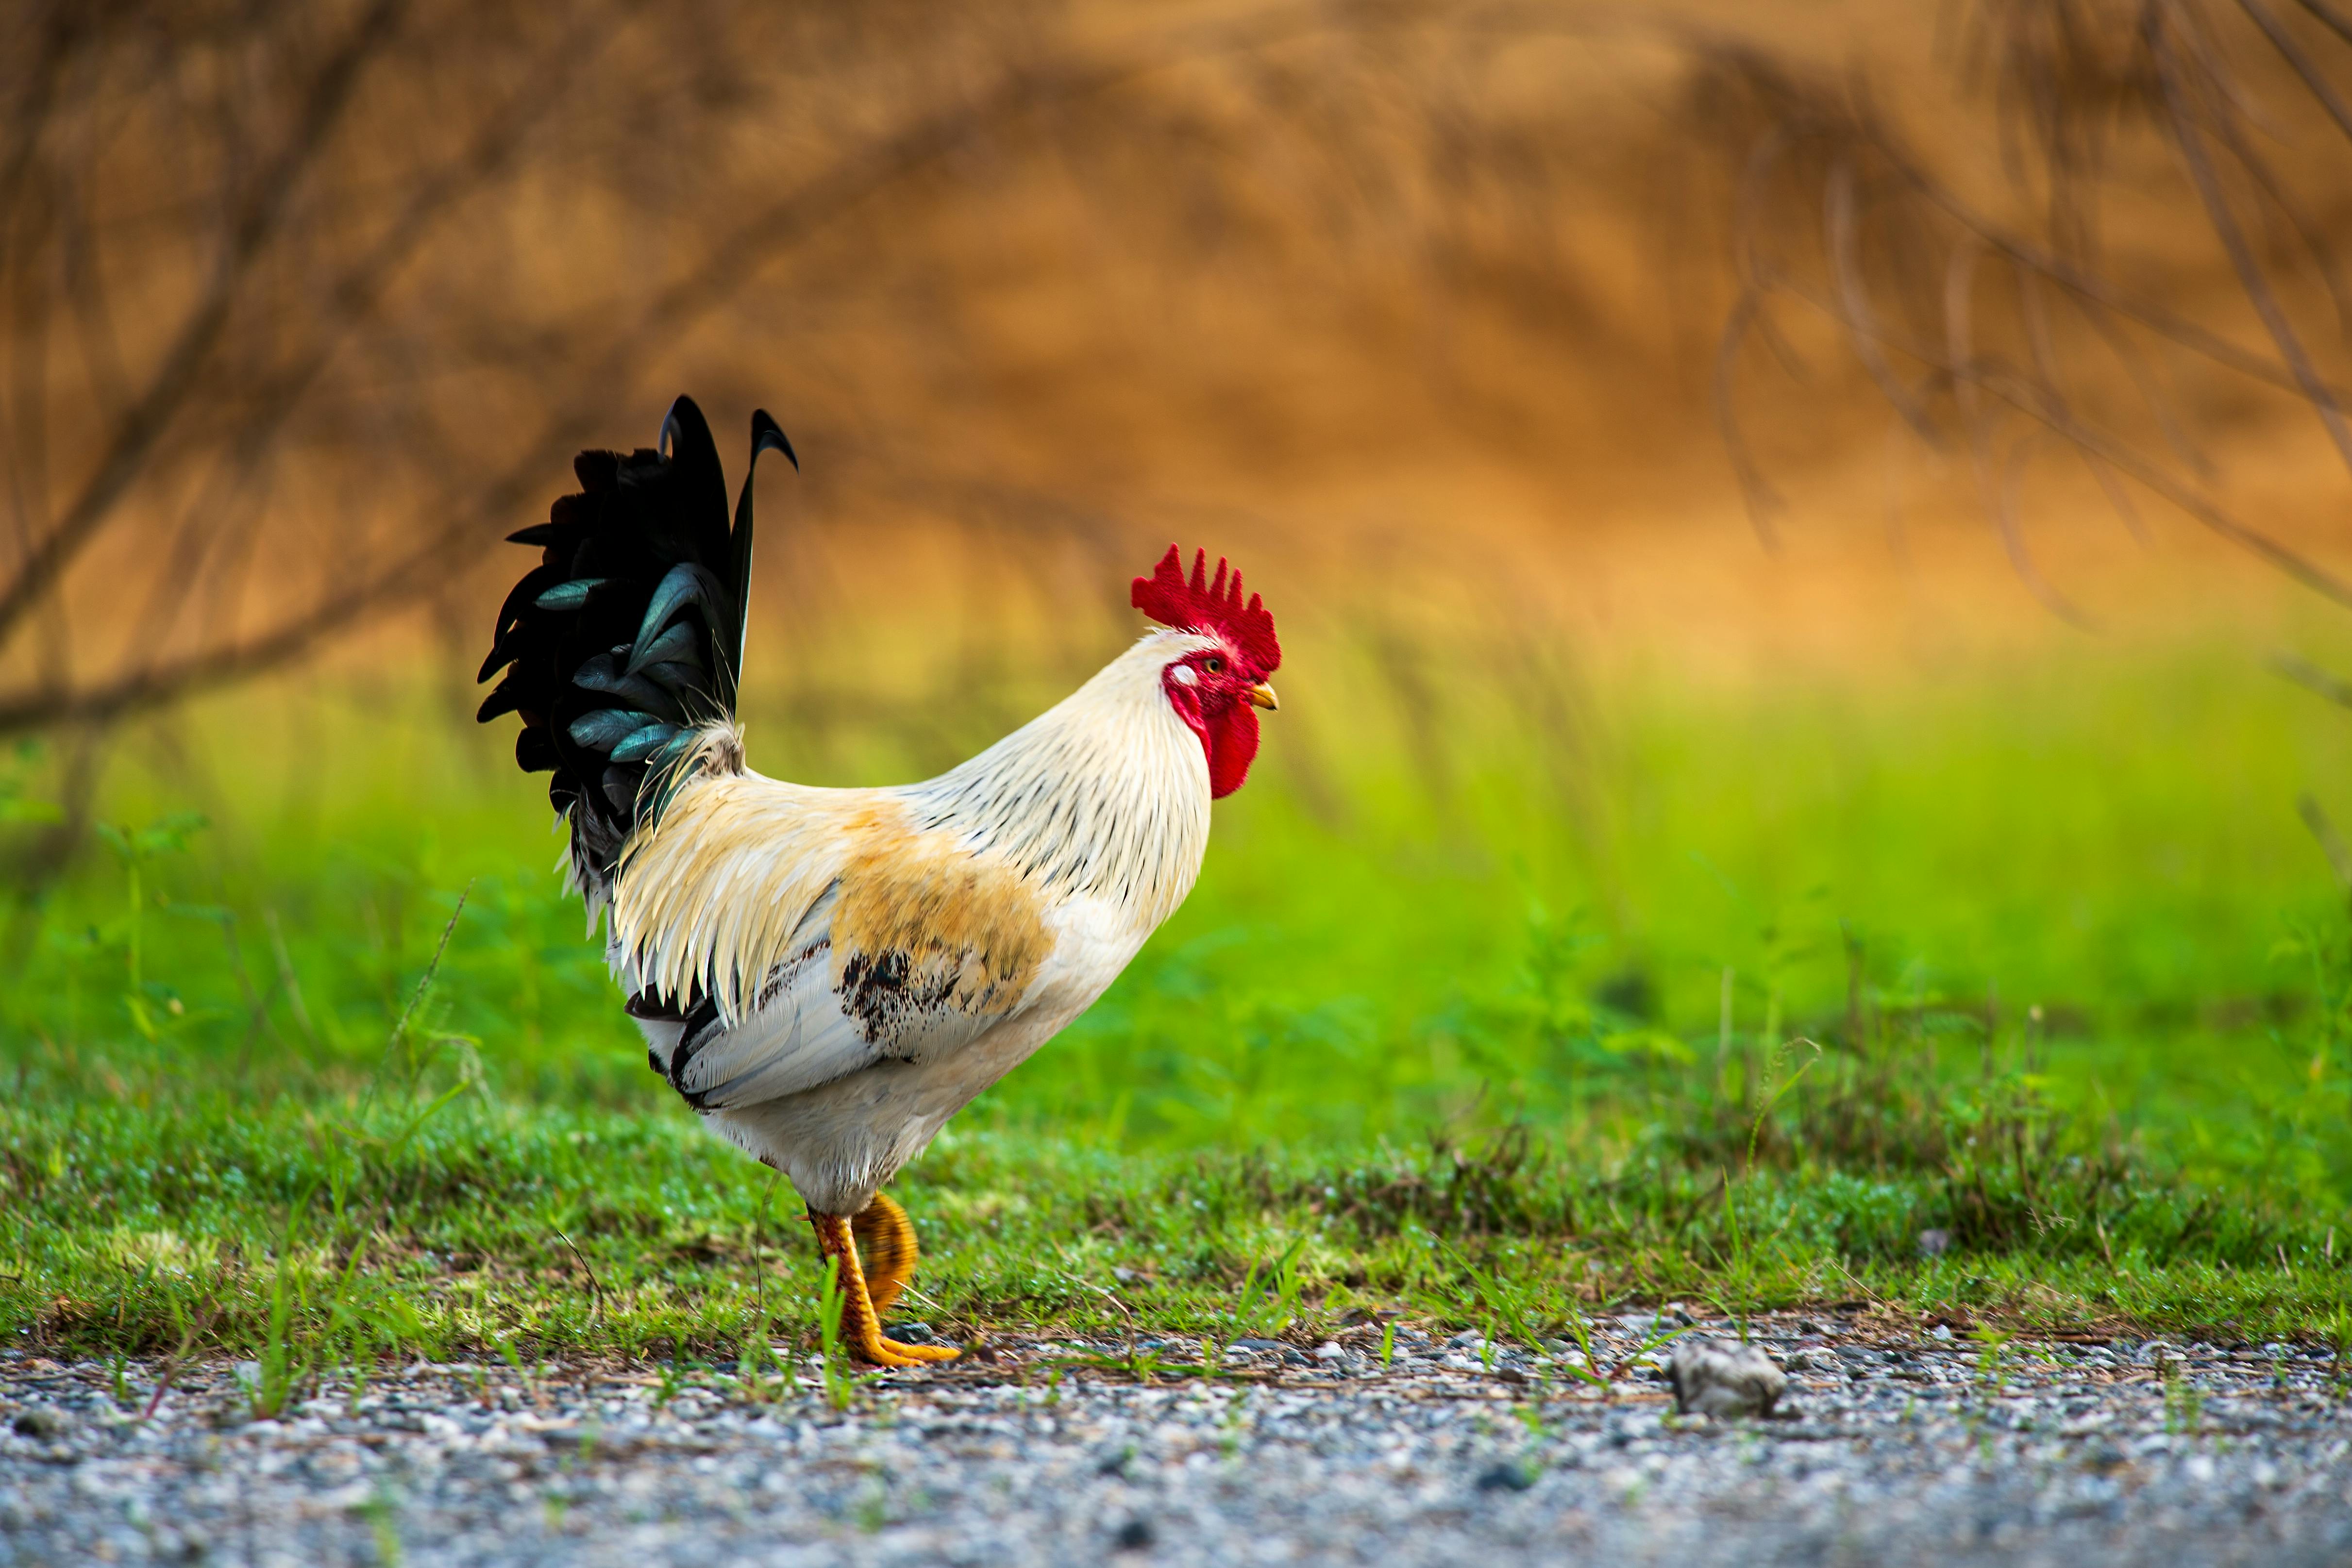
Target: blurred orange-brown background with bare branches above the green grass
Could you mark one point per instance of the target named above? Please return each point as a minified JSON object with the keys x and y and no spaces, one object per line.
{"x":1720,"y":333}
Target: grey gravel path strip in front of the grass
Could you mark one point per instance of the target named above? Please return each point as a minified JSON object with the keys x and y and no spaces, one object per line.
{"x":1887,"y":1452}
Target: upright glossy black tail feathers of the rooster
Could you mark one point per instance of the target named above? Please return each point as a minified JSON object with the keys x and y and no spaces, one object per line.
{"x":629,"y":634}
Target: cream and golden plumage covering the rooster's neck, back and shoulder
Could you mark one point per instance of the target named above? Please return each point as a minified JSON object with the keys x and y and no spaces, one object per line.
{"x":1102,"y":798}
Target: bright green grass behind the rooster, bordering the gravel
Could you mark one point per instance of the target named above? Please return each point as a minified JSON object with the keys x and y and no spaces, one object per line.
{"x":1495,"y":1017}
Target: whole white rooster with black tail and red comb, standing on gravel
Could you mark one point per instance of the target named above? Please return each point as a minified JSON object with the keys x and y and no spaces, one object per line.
{"x":829,"y":977}
